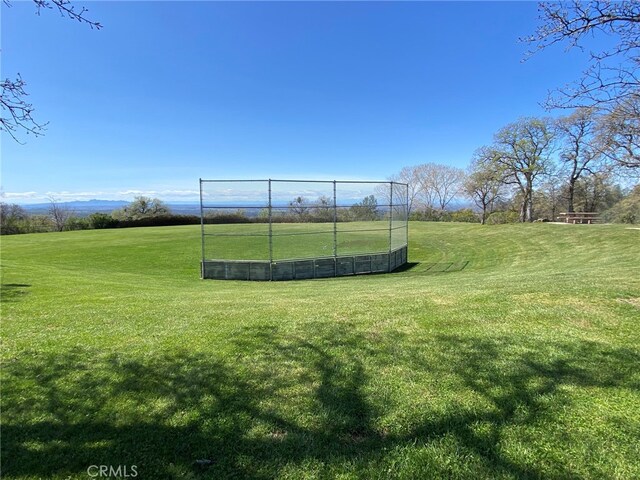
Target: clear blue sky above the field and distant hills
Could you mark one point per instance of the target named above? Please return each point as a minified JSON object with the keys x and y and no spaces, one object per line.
{"x":168,"y":92}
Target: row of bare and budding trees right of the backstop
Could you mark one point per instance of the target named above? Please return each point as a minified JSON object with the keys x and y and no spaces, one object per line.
{"x":534,"y":169}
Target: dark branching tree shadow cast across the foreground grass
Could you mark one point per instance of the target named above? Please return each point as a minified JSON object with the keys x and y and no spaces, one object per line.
{"x":284,"y":401}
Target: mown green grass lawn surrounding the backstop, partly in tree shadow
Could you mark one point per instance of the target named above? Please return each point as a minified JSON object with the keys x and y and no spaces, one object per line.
{"x":502,"y":352}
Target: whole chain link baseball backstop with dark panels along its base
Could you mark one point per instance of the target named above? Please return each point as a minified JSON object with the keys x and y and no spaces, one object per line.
{"x":288,"y":229}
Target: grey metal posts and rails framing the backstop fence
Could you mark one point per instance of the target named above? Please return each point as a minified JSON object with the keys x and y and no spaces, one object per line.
{"x":395,"y":257}
